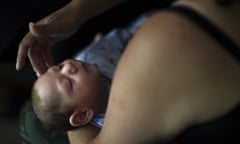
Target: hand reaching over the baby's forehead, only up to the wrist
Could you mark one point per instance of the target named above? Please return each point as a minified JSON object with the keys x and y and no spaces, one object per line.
{"x":37,"y":43}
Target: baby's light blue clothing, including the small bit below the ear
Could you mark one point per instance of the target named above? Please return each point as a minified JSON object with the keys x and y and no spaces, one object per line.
{"x":107,"y":52}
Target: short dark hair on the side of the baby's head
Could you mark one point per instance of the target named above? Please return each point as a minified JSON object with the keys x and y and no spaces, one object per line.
{"x":50,"y":115}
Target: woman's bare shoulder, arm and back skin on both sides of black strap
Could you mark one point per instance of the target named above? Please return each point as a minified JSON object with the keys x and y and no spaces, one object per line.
{"x":172,"y":76}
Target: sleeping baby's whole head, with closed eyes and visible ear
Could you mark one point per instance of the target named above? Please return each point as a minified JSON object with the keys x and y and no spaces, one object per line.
{"x":69,"y":95}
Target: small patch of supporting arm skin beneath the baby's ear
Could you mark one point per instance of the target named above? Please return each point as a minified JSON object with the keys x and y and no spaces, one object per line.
{"x":83,"y":135}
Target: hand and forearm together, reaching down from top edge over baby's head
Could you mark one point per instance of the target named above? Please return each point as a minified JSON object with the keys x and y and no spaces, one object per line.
{"x":59,"y":25}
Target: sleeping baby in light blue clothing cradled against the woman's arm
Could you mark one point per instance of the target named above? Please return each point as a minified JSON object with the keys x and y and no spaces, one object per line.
{"x":75,"y":92}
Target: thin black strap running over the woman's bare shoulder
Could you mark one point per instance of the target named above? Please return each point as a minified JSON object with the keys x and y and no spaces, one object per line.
{"x":208,"y":26}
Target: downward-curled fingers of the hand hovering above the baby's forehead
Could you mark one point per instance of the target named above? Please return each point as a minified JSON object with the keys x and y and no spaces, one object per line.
{"x":38,"y":51}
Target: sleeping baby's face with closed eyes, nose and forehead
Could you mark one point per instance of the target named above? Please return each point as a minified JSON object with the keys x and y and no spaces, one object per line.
{"x":72,"y":82}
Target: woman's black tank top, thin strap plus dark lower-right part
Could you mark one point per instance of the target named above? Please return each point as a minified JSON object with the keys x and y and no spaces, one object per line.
{"x":226,"y":128}
